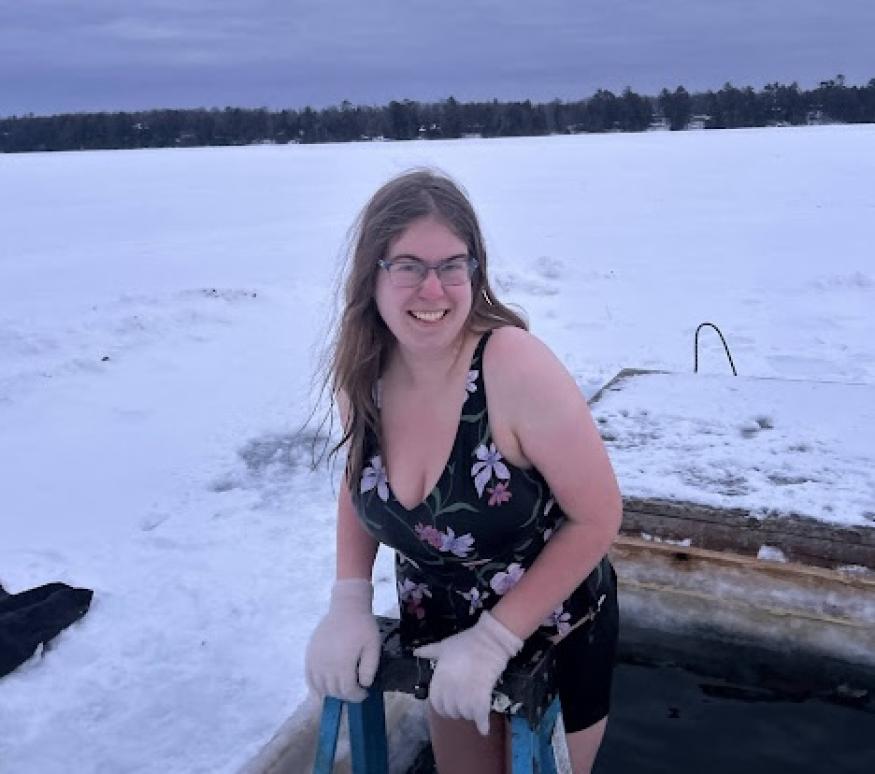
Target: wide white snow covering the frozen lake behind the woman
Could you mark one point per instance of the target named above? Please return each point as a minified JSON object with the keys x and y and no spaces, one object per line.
{"x":160,"y":316}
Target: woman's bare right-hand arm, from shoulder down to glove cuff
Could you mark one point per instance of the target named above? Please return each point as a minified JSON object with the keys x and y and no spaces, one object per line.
{"x":552,"y":423}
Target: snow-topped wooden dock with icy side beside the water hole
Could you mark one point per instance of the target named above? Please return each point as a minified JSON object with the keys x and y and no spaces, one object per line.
{"x":750,"y":590}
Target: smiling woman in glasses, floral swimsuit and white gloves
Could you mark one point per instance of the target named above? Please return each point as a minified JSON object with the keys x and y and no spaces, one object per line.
{"x":472,"y":453}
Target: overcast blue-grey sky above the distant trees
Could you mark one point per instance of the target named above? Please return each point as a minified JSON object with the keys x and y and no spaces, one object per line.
{"x":82,"y":55}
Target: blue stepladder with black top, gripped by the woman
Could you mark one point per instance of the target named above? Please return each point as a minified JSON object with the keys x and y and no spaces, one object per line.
{"x":526,"y":686}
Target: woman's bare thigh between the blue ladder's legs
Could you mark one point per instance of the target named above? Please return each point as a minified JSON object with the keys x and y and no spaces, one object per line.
{"x":459,"y":748}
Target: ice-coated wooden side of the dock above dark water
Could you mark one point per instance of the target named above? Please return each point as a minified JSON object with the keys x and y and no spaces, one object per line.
{"x":690,"y":598}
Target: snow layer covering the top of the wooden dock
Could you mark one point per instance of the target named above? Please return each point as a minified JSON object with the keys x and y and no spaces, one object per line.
{"x":773,"y":446}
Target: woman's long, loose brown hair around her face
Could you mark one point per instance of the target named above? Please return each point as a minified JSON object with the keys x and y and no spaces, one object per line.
{"x":361,"y":341}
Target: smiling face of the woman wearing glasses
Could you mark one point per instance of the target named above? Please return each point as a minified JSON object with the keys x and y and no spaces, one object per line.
{"x":429,"y":316}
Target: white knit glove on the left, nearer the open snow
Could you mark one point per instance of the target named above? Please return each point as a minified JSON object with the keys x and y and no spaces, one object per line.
{"x":344,"y":650}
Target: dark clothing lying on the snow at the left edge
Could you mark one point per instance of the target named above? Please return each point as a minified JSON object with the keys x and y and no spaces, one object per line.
{"x":35,"y":617}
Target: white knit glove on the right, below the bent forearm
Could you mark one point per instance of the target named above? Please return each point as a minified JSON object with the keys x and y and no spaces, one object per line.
{"x":468,"y":667}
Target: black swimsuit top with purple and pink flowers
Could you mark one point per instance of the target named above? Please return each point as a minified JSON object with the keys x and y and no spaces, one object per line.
{"x":474,"y":536}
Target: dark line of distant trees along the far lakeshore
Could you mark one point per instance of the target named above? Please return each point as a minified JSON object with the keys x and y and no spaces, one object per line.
{"x":833,"y":101}
